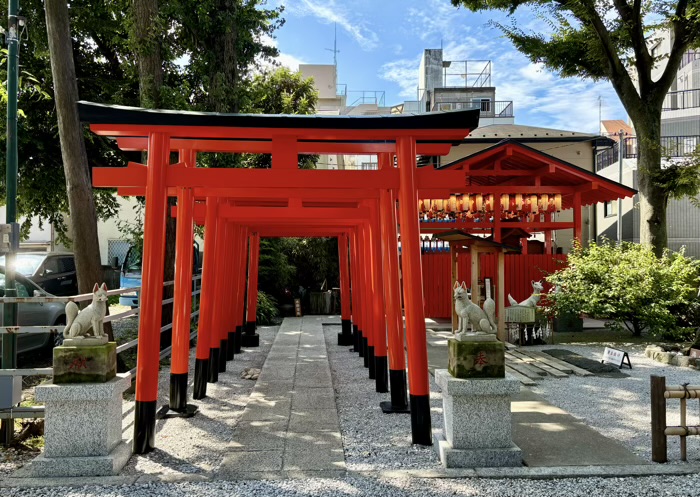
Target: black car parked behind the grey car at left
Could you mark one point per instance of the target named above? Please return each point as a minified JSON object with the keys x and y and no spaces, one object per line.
{"x":54,"y":272}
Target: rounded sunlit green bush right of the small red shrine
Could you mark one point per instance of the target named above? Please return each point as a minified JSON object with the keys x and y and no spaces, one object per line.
{"x":627,"y":283}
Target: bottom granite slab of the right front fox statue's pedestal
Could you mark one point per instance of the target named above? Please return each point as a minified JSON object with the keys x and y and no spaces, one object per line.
{"x":476,"y":458}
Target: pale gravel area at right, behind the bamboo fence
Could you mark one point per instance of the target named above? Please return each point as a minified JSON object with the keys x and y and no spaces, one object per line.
{"x":619,"y":408}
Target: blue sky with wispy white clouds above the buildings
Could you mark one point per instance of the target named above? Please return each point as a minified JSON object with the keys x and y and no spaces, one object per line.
{"x":381,"y":42}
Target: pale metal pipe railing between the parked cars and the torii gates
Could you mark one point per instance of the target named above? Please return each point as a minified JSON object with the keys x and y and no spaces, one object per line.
{"x":38,"y":411}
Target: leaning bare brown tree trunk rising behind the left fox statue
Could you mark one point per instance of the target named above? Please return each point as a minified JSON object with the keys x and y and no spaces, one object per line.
{"x":81,"y":202}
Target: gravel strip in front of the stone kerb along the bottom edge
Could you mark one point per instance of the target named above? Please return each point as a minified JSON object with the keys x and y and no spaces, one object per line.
{"x":354,"y":486}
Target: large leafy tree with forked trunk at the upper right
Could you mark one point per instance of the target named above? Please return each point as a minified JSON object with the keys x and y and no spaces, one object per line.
{"x":613,"y":41}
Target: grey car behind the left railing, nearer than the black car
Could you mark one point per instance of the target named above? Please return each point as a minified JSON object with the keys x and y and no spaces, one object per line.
{"x":34,"y":314}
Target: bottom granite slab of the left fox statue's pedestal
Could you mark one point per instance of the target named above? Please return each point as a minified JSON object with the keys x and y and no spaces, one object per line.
{"x":109,"y":465}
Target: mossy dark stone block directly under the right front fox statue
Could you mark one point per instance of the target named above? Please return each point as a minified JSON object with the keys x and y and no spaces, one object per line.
{"x":476,"y":359}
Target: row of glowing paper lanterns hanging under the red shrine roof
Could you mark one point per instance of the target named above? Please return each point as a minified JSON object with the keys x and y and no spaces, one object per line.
{"x":485,"y":203}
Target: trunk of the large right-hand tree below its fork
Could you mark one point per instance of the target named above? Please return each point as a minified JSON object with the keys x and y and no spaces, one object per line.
{"x":653,"y":200}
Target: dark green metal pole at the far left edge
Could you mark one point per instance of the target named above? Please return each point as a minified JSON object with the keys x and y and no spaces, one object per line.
{"x":9,"y":340}
